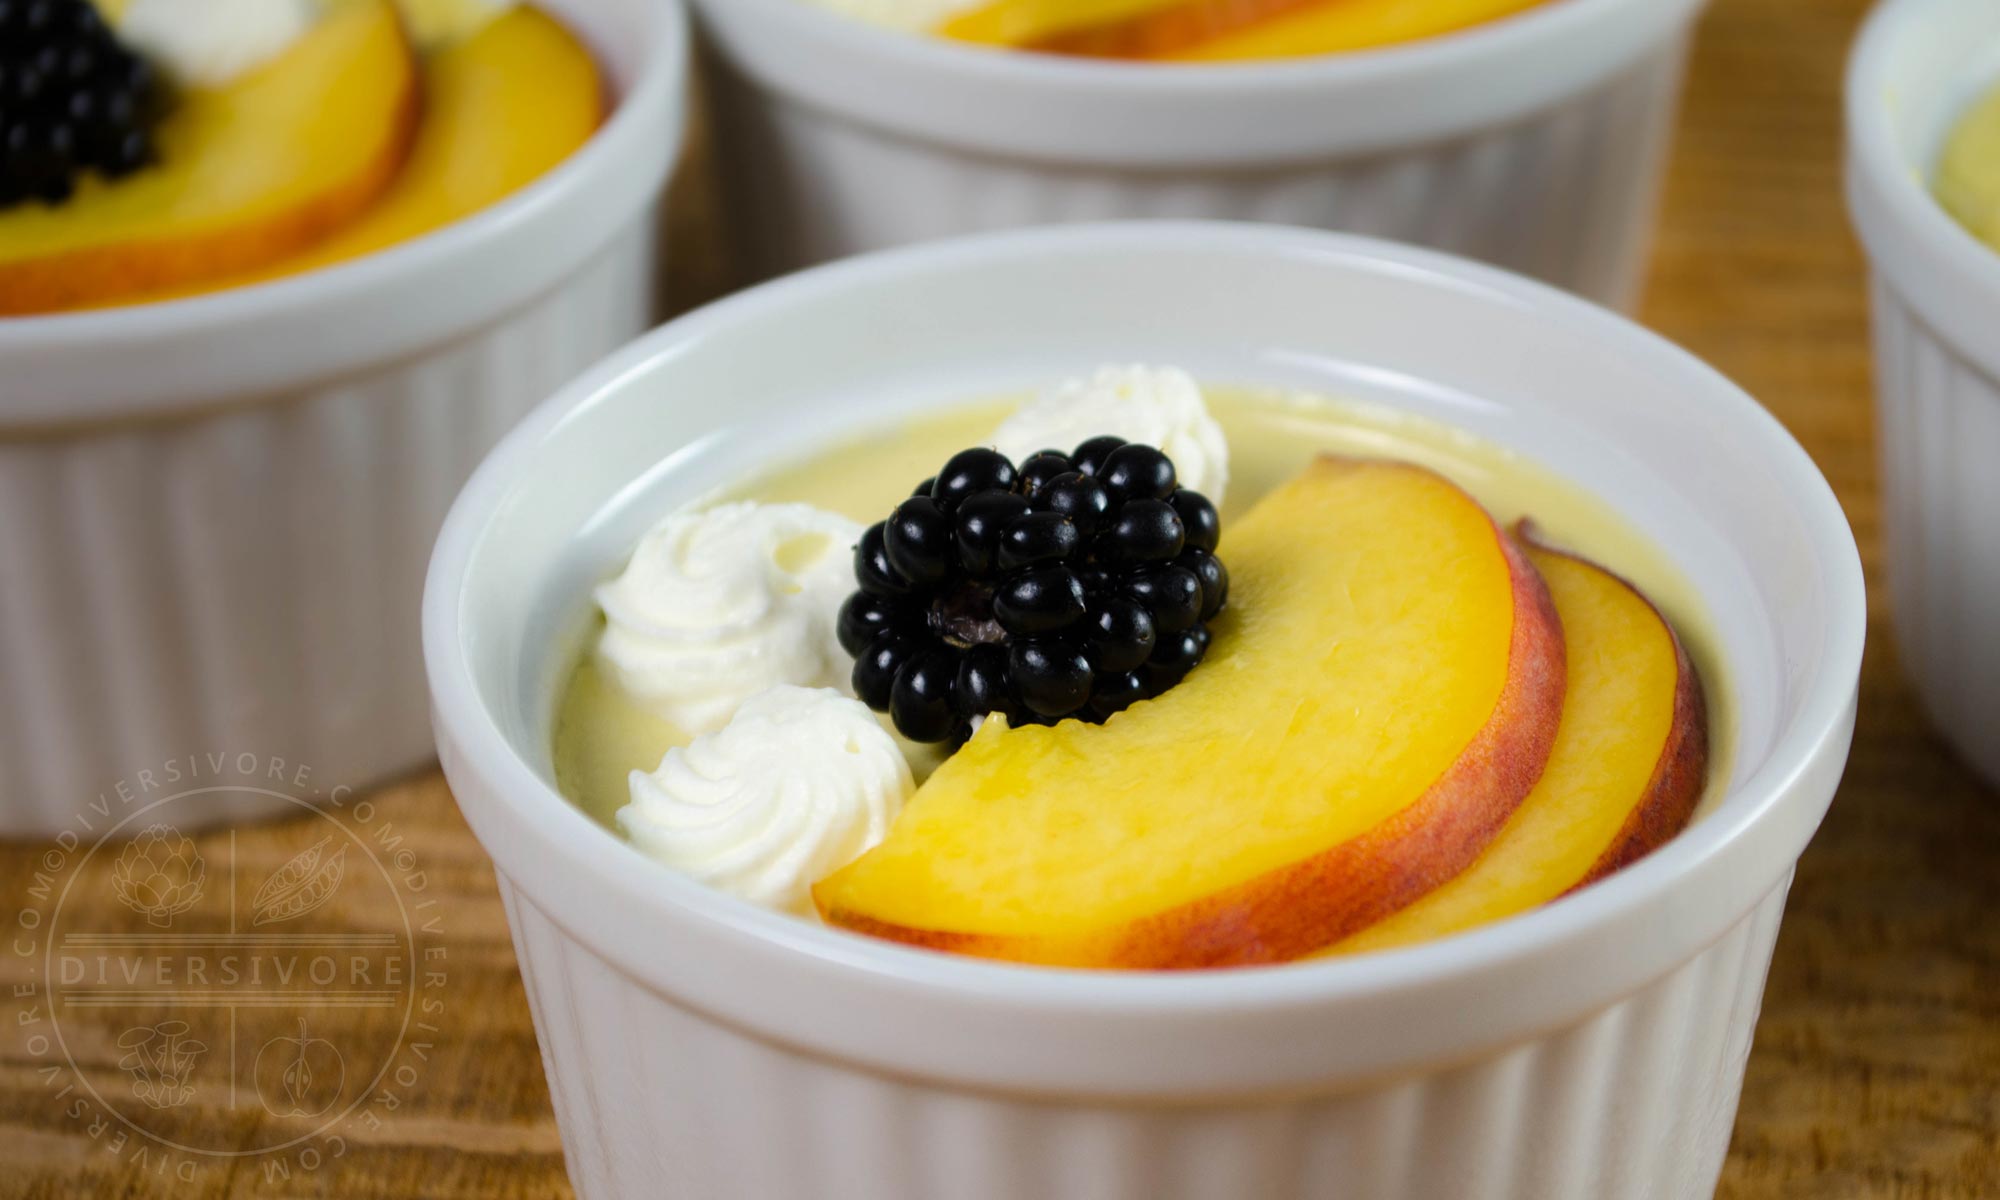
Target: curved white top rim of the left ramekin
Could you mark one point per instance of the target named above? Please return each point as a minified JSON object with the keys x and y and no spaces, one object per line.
{"x":385,"y":269}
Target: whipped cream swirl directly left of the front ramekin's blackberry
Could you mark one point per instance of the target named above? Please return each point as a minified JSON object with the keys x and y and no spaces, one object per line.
{"x":725,"y":603}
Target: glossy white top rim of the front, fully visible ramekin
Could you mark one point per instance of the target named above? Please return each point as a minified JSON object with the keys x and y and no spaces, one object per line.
{"x":507,"y":779}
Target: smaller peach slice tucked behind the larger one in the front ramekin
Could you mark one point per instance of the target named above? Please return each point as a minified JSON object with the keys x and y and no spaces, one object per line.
{"x":1629,"y":767}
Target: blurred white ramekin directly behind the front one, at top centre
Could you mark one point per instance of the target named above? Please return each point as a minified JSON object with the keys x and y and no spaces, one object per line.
{"x":1537,"y":143}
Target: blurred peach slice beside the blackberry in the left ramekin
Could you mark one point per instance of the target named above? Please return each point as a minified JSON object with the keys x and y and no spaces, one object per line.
{"x":247,"y":175}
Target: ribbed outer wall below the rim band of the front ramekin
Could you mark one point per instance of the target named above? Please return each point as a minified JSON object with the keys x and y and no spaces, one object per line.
{"x":1631,"y":1103}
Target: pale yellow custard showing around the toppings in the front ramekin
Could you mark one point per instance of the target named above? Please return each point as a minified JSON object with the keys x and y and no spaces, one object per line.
{"x":601,"y":737}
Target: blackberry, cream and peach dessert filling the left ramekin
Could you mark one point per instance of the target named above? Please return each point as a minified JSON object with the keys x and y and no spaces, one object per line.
{"x":175,"y":147}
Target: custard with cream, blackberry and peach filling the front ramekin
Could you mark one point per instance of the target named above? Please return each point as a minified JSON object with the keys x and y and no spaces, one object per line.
{"x":1141,"y":675}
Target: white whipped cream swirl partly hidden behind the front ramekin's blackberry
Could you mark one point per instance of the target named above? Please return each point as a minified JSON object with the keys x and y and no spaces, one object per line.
{"x":1155,"y":405}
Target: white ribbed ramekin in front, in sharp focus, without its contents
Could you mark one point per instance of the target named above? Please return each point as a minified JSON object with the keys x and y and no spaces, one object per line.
{"x":701,"y":1047}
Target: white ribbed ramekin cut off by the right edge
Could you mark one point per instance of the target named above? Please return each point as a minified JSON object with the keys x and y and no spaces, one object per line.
{"x":1937,"y":327}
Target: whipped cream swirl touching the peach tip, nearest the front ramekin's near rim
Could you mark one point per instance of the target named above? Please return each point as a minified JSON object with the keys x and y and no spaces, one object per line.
{"x":795,"y":787}
